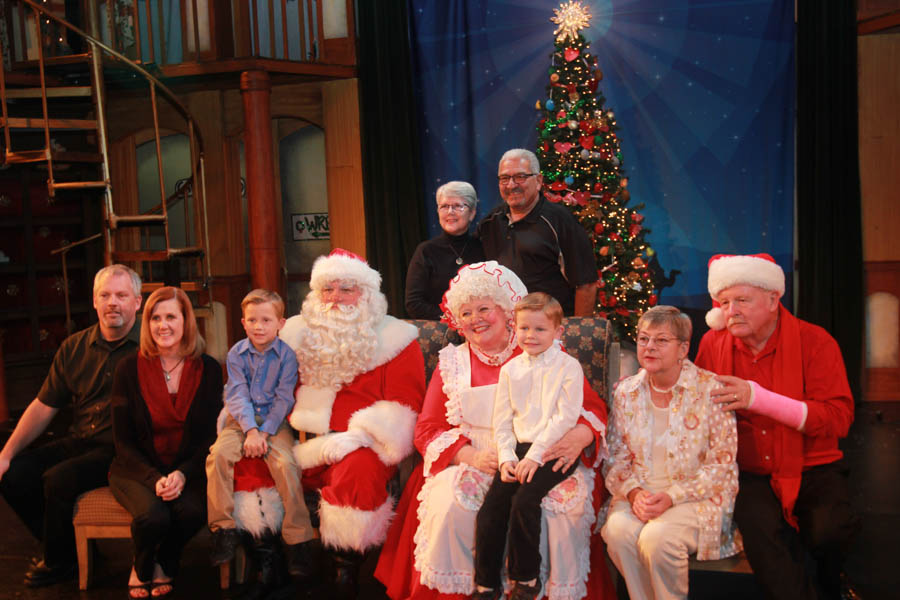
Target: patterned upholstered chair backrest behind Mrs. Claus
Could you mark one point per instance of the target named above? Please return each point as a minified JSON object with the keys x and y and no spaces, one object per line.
{"x":588,"y":339}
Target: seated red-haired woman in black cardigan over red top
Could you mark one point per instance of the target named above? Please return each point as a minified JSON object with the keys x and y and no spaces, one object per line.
{"x":164,"y":405}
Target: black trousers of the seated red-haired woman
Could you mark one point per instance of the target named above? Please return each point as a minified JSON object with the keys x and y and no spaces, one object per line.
{"x":160,"y":529}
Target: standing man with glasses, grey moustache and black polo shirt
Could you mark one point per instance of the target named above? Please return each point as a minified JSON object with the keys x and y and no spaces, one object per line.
{"x":540,"y":241}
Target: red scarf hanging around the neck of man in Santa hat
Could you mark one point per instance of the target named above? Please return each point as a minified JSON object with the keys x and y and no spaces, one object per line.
{"x":787,"y":379}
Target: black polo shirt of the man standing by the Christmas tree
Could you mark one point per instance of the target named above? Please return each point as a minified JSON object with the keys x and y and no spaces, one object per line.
{"x":532,"y":247}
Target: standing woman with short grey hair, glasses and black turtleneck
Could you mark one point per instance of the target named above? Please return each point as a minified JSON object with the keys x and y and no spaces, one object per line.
{"x":437,"y":260}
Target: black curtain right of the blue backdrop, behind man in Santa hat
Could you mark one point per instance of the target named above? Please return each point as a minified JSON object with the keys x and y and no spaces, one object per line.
{"x":829,"y":224}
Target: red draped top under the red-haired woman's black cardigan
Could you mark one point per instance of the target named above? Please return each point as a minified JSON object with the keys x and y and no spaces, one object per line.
{"x":167,"y":417}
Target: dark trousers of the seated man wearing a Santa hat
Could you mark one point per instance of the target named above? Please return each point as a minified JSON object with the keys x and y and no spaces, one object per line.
{"x":792,"y":564}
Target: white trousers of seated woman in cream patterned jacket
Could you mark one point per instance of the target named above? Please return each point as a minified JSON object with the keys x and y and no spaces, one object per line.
{"x":652,"y":556}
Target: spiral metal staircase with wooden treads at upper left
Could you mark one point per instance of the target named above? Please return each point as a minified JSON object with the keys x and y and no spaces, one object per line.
{"x":48,"y":97}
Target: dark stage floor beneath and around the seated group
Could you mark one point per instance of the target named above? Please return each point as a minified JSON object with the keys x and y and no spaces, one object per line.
{"x":872,"y":450}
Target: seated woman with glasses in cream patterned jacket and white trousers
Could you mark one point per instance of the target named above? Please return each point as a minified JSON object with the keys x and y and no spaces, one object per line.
{"x":672,"y":471}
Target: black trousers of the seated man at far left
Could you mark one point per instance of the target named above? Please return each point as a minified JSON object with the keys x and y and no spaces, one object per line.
{"x":42,"y":484}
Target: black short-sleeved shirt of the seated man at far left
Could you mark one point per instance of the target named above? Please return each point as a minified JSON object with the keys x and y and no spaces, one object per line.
{"x":81,"y":376}
